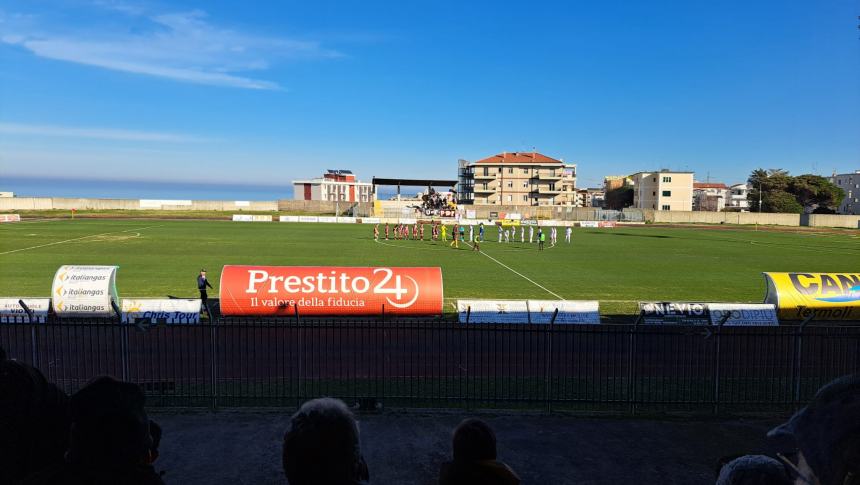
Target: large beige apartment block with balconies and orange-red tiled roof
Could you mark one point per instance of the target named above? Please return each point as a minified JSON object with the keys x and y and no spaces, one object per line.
{"x":517,"y":178}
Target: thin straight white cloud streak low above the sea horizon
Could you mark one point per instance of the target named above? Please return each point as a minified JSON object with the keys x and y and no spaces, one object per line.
{"x":95,"y":133}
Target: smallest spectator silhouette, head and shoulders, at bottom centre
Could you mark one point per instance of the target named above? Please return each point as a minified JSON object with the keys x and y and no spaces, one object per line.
{"x":474,"y":446}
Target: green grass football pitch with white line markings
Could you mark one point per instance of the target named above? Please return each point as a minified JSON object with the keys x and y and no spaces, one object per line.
{"x":617,"y":266}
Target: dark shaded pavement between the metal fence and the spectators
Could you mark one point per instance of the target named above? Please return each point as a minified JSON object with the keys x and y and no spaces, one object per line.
{"x":243,"y":447}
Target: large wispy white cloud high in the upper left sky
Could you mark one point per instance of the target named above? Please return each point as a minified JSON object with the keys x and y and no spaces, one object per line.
{"x":181,"y":46}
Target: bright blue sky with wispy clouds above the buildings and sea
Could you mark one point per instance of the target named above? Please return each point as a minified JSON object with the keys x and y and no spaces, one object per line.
{"x":226,"y":92}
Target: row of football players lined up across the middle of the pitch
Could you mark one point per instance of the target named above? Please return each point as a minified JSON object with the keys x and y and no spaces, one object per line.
{"x":440,"y":231}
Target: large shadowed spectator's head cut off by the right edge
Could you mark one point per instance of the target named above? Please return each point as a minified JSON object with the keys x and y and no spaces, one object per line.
{"x":822,"y":441}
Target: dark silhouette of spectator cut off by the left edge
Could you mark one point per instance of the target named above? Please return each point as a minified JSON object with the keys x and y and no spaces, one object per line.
{"x":34,"y":421}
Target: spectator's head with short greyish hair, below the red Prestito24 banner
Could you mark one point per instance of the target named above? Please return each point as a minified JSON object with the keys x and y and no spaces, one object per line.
{"x":322,"y":447}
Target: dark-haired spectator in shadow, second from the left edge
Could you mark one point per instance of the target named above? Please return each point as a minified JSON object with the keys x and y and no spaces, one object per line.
{"x":110,"y":441}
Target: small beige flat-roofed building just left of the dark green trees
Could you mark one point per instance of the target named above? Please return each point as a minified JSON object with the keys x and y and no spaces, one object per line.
{"x":663,"y":190}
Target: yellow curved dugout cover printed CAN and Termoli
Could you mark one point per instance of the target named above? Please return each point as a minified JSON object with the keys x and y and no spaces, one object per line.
{"x":823,"y":296}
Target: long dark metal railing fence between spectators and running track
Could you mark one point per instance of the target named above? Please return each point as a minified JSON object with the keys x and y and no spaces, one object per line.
{"x":439,"y":364}
